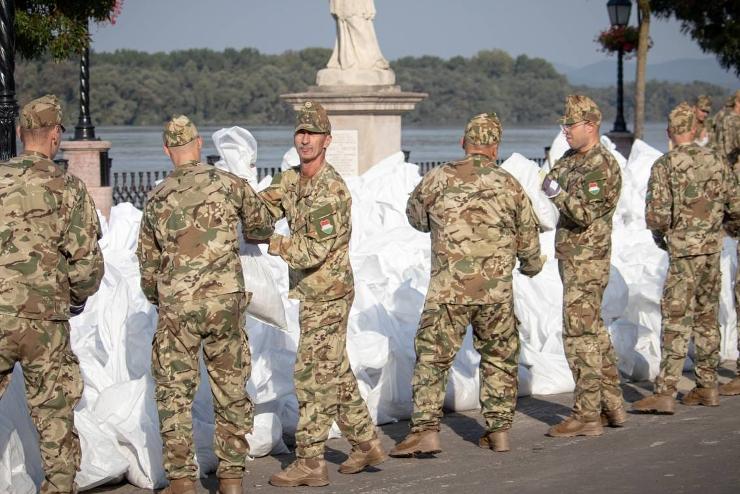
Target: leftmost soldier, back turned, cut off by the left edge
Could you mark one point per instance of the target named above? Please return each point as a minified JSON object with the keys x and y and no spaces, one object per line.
{"x":50,"y":263}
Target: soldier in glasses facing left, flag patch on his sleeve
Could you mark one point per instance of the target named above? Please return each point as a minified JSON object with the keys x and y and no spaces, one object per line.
{"x":584,"y":185}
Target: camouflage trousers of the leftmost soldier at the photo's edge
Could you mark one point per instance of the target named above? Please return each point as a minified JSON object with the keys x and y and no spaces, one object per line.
{"x":53,"y":382}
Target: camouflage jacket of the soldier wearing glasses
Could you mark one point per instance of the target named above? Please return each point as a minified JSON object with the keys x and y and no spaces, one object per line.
{"x":590,"y":183}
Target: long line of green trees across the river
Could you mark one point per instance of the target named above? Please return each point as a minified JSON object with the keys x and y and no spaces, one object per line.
{"x":244,"y":86}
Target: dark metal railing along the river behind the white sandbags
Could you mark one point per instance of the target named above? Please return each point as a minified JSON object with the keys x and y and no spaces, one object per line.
{"x":134,"y":187}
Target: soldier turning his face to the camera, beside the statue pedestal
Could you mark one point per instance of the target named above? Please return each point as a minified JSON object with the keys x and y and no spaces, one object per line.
{"x":316,"y":202}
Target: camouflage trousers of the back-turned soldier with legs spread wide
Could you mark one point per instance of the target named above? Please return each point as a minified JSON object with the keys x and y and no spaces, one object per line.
{"x":440,"y":335}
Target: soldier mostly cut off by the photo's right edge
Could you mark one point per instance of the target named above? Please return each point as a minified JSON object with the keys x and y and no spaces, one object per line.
{"x":731,"y":151}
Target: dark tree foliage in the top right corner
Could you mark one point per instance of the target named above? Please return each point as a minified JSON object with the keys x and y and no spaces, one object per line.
{"x":715,"y":25}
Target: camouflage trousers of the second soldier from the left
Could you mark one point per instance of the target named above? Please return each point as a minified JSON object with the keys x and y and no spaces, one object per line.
{"x":218,"y":324}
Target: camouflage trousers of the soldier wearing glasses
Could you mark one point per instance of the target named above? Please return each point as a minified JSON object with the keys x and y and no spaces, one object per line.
{"x":588,"y":347}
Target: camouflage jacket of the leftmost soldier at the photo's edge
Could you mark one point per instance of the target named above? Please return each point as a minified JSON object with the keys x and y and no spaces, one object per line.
{"x":49,"y":232}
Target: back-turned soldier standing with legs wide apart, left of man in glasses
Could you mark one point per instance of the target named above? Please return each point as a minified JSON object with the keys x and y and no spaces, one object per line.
{"x":481,"y":221}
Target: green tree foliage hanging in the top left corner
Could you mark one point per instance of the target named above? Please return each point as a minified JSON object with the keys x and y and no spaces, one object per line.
{"x":58,"y":27}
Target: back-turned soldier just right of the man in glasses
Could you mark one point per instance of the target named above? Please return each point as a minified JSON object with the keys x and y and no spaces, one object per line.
{"x":689,"y":191}
